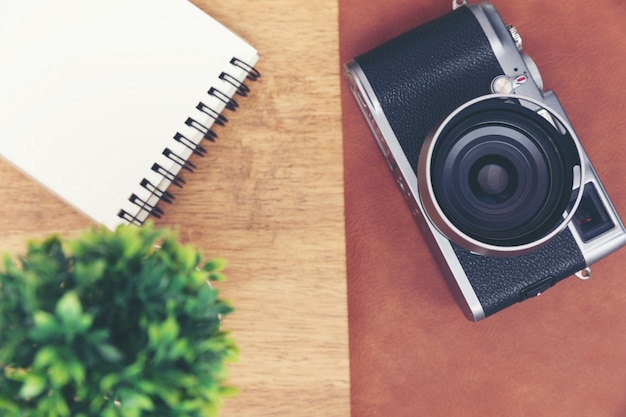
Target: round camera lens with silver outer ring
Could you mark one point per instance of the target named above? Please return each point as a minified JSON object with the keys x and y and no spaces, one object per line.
{"x":500,"y":176}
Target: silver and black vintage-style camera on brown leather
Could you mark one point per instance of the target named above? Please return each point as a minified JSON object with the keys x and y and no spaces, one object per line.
{"x":488,"y":162}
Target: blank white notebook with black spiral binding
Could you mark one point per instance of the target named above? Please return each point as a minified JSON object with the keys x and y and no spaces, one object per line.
{"x":104,"y":101}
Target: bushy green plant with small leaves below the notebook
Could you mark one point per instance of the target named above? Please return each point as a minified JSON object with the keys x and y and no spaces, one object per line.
{"x":113,"y":323}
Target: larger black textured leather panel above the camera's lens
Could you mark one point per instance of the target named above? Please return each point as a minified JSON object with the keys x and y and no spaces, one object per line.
{"x":421,"y":76}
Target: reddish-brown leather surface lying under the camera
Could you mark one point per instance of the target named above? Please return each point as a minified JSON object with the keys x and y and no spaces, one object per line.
{"x":412,"y":351}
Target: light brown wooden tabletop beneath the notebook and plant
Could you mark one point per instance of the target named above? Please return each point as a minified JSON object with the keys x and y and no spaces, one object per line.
{"x":269,"y":198}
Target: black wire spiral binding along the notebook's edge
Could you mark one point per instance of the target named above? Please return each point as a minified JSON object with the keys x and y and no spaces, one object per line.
{"x":146,"y":208}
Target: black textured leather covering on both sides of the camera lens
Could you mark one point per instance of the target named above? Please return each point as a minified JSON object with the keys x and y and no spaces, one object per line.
{"x":419,"y":78}
